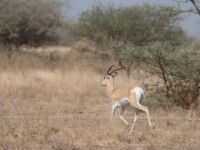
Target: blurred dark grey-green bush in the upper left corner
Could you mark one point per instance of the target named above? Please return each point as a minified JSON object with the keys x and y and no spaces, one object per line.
{"x":31,"y":22}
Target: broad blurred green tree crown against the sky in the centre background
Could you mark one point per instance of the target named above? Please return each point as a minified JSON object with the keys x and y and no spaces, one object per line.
{"x":135,"y":24}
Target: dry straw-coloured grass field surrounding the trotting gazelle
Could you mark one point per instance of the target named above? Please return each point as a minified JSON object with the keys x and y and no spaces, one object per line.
{"x":58,"y":105}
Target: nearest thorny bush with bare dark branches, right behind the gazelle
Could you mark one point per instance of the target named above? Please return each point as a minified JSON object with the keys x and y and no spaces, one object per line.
{"x":176,"y":66}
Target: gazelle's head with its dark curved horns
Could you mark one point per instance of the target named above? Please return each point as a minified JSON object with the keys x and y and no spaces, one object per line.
{"x":108,"y":78}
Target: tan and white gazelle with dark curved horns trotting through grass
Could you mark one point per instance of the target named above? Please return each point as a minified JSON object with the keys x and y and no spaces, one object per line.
{"x":124,"y":97}
